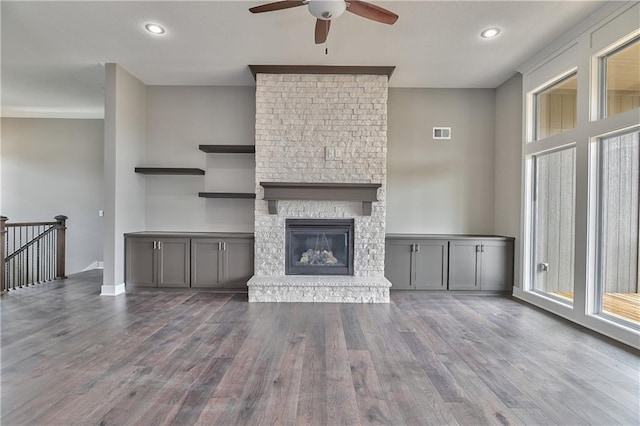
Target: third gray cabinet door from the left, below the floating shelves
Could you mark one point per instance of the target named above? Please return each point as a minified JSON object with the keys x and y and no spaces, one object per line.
{"x":205,"y":262}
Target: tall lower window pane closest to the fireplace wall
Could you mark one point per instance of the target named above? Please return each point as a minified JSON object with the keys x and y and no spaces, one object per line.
{"x":554,"y":230}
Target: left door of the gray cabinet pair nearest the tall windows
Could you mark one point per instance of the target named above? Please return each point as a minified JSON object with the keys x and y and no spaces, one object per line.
{"x":464,"y":265}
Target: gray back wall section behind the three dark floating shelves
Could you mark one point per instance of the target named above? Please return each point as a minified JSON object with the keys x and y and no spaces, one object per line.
{"x":178,"y":120}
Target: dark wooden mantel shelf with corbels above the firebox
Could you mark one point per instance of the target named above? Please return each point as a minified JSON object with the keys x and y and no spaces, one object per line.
{"x":366,"y":193}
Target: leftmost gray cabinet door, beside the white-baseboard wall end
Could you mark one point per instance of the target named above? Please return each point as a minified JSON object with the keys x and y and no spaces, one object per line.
{"x":140,"y":269}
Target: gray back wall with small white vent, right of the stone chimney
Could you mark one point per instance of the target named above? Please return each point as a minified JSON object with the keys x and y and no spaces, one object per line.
{"x":440,"y":186}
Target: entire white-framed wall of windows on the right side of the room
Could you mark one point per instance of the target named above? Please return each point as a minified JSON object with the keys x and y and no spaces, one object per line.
{"x":579,"y":244}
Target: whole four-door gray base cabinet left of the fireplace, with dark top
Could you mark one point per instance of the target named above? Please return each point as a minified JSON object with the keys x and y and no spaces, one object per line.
{"x":206,"y":260}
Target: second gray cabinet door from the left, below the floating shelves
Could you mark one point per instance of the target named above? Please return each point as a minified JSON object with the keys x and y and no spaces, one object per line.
{"x":173,"y":262}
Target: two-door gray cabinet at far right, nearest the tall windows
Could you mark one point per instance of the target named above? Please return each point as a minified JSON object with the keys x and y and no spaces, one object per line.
{"x":481,"y":265}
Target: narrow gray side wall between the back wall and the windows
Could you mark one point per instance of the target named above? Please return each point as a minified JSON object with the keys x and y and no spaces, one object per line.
{"x":508,"y":163}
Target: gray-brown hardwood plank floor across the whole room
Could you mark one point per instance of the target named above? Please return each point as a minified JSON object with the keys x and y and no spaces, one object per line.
{"x":154,"y":357}
